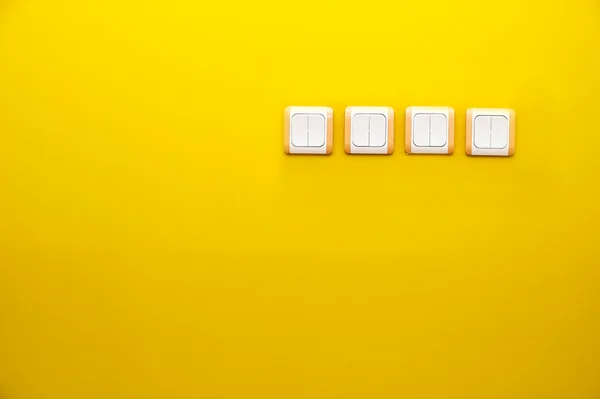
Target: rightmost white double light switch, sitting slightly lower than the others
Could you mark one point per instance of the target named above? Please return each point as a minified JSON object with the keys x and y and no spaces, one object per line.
{"x":490,"y":132}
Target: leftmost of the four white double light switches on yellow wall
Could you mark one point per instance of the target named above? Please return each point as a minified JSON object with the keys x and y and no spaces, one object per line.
{"x":308,"y":130}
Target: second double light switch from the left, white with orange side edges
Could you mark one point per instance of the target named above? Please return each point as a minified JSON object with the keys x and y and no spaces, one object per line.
{"x":369,"y":130}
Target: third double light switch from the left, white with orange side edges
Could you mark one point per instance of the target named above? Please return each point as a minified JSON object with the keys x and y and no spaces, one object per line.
{"x":429,"y":130}
